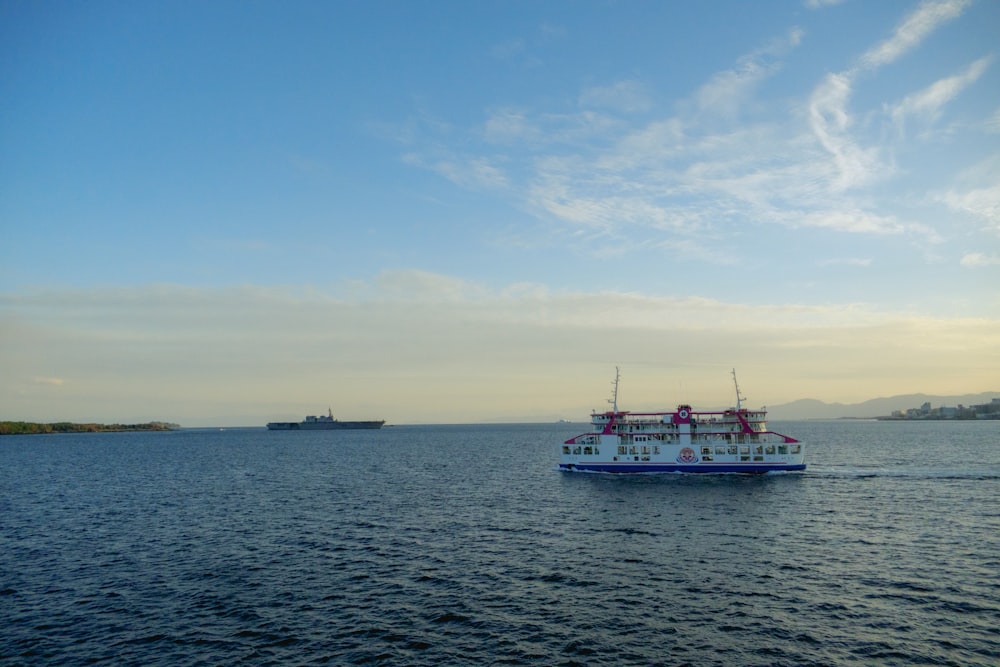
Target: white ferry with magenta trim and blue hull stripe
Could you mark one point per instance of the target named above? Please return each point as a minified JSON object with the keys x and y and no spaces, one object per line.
{"x":730,"y":441}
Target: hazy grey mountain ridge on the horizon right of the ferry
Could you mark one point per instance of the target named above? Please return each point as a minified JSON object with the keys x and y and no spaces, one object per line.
{"x":810,"y":408}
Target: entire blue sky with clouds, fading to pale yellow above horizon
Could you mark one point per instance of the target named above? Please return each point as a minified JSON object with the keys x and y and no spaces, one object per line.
{"x":472,"y":211}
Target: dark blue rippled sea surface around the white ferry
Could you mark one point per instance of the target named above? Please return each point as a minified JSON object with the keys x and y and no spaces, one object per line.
{"x":464,"y":545}
